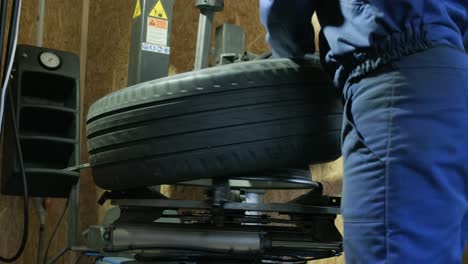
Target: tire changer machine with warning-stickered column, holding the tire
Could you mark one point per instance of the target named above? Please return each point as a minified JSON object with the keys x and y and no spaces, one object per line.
{"x":232,"y":225}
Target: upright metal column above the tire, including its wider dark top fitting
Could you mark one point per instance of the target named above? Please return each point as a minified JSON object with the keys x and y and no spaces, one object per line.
{"x":205,"y":27}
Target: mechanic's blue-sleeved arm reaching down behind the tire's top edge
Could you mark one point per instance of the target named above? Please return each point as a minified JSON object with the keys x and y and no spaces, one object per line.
{"x":288,"y":22}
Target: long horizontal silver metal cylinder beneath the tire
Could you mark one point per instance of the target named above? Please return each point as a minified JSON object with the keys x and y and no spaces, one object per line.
{"x":271,"y":240}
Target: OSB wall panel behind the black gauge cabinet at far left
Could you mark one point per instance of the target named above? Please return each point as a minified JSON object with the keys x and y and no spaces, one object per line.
{"x":62,"y":31}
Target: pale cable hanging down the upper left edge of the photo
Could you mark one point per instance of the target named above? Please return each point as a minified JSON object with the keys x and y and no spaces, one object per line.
{"x":10,"y":54}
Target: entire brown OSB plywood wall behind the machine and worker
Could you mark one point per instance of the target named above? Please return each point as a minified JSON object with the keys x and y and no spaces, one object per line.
{"x":107,"y":63}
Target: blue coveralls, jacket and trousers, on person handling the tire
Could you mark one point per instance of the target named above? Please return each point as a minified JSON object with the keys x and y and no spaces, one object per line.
{"x":403,"y":70}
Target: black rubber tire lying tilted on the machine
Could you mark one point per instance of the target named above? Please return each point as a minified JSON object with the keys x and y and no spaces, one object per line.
{"x":226,"y":121}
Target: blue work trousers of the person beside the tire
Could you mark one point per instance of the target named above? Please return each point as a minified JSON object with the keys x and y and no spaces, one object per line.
{"x":405,"y":148}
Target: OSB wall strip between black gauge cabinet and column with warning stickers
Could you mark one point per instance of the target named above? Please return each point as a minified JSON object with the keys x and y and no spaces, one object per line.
{"x":106,"y":71}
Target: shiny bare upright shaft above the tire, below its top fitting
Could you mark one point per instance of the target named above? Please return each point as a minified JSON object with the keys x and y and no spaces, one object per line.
{"x":205,"y":26}
